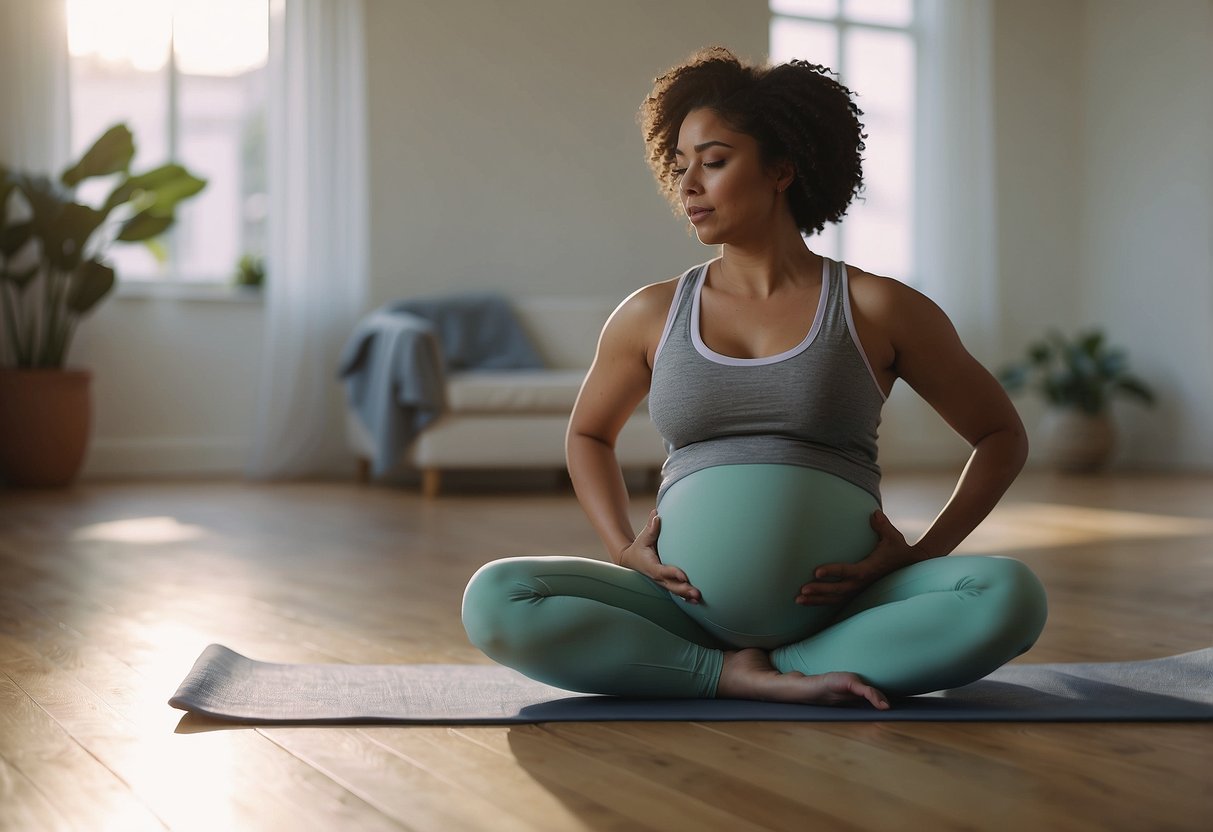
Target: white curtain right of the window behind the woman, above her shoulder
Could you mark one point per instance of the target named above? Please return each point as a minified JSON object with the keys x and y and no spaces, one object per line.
{"x":955,"y":226}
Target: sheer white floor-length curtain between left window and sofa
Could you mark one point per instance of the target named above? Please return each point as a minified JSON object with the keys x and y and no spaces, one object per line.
{"x":317,"y":260}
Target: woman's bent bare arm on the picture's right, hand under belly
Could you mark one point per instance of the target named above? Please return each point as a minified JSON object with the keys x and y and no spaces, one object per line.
{"x":924,"y":349}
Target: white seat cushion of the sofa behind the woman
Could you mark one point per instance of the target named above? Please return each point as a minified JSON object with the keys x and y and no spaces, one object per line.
{"x":515,"y":391}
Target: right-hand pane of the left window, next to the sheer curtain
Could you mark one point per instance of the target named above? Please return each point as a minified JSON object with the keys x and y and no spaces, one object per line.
{"x":221,"y":134}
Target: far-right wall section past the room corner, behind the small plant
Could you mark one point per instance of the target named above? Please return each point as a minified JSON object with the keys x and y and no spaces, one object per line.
{"x":1147,"y":264}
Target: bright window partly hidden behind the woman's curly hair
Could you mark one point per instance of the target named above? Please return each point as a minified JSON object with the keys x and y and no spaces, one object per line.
{"x":872,"y":44}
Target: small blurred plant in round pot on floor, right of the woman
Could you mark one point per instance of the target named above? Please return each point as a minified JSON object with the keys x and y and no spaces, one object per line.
{"x":1079,"y":380}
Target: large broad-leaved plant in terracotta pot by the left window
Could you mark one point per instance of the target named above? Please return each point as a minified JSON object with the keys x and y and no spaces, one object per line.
{"x":53,"y":273}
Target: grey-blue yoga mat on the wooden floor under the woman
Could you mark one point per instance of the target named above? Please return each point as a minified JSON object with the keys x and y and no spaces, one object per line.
{"x":227,"y":686}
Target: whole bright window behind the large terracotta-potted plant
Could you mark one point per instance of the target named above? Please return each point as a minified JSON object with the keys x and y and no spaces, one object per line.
{"x":190,"y":79}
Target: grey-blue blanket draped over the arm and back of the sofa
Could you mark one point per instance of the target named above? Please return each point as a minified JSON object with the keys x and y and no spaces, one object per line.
{"x":395,"y":363}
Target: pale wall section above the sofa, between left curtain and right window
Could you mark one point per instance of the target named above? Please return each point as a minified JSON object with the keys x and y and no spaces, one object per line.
{"x":505,"y":147}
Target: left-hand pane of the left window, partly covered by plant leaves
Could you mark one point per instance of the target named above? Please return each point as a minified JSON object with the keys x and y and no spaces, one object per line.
{"x":119,"y":53}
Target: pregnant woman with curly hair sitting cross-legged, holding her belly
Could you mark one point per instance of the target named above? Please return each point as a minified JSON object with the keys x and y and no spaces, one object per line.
{"x":767,"y":569}
